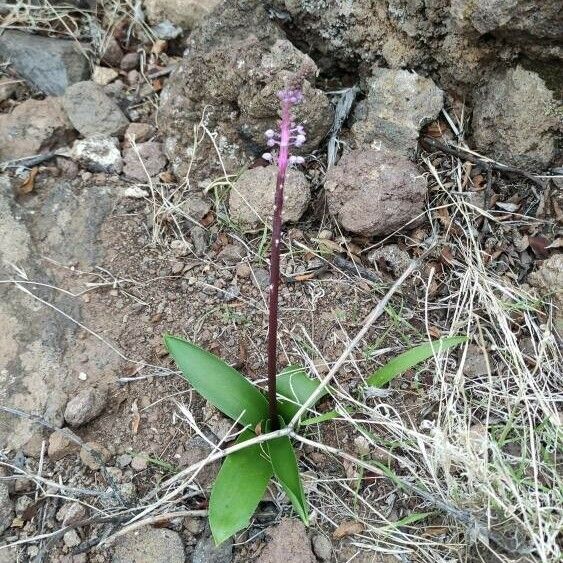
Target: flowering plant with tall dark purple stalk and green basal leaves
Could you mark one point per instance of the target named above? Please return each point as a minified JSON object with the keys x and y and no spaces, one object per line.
{"x":263,"y":448}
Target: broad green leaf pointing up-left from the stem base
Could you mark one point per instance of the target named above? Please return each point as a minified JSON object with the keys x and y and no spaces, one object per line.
{"x":218,"y":382}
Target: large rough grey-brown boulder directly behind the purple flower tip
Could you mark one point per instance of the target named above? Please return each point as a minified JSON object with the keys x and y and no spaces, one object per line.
{"x":229,"y":82}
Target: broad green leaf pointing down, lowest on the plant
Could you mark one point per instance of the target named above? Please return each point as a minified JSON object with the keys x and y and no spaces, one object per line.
{"x":239,"y":487}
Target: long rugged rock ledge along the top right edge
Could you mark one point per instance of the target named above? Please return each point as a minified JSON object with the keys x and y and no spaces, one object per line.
{"x":438,"y":38}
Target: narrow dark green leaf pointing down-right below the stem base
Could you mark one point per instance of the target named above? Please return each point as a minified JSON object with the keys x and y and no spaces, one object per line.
{"x":284,"y":463}
